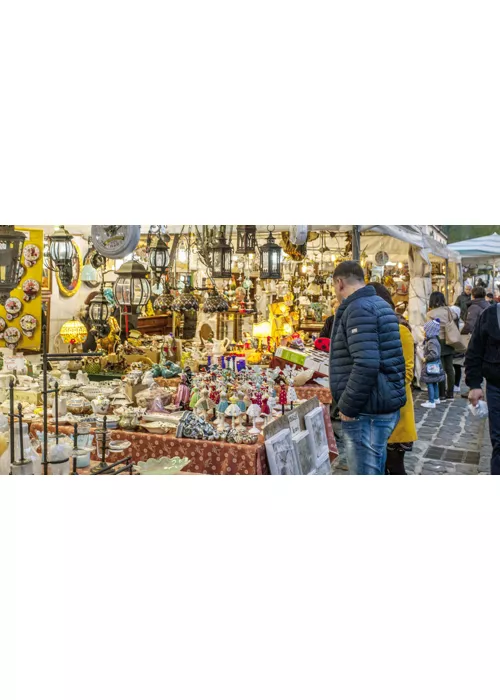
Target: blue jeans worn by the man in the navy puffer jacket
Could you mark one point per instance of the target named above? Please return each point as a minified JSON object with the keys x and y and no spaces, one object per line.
{"x":366,"y":441}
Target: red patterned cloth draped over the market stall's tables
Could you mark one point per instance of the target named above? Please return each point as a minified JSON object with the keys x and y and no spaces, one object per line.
{"x":206,"y":457}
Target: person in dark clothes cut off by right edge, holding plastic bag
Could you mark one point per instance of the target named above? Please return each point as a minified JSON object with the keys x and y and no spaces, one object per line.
{"x":482,"y":363}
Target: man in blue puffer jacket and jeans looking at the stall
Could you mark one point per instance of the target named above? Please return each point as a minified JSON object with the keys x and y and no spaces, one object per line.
{"x":367,"y":369}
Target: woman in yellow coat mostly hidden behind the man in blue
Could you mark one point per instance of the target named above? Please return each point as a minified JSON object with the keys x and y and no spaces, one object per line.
{"x":405,"y":431}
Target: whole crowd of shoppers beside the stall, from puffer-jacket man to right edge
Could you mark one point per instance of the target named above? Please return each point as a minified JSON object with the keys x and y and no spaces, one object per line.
{"x":372,"y":361}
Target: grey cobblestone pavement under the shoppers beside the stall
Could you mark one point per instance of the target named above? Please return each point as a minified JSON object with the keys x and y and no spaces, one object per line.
{"x":449,"y":441}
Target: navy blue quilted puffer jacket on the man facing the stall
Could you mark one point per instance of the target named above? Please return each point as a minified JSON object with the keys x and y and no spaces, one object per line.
{"x":367,"y":367}
